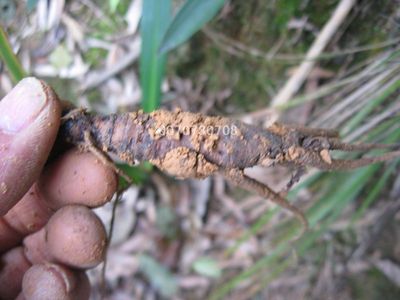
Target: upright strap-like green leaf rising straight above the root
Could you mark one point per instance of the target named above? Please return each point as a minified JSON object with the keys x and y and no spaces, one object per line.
{"x":155,"y":19}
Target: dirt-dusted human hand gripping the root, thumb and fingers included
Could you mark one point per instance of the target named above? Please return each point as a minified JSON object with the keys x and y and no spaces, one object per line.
{"x":48,"y":236}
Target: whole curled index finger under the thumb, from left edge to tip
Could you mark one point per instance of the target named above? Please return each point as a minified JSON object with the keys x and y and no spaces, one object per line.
{"x":74,"y":178}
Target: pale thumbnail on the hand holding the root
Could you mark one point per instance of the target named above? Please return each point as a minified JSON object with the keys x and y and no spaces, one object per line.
{"x":22,"y":105}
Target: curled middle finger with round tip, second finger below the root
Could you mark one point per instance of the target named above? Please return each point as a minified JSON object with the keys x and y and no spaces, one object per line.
{"x":74,"y":236}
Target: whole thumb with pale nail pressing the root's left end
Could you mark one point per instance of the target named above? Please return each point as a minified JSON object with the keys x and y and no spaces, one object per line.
{"x":29,"y":121}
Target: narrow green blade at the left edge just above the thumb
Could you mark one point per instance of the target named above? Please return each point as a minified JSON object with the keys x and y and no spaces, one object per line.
{"x":10,"y":60}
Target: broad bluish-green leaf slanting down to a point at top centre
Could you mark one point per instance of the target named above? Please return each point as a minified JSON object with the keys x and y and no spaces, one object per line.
{"x":190,"y":18}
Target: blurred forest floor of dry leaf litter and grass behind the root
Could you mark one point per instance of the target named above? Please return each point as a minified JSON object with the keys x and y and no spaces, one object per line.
{"x":201,"y":239}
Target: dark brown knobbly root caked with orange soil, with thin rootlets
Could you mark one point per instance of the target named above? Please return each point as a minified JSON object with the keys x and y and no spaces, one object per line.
{"x":188,"y":145}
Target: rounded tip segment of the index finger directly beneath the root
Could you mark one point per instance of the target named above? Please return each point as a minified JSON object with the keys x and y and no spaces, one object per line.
{"x":78,"y":178}
